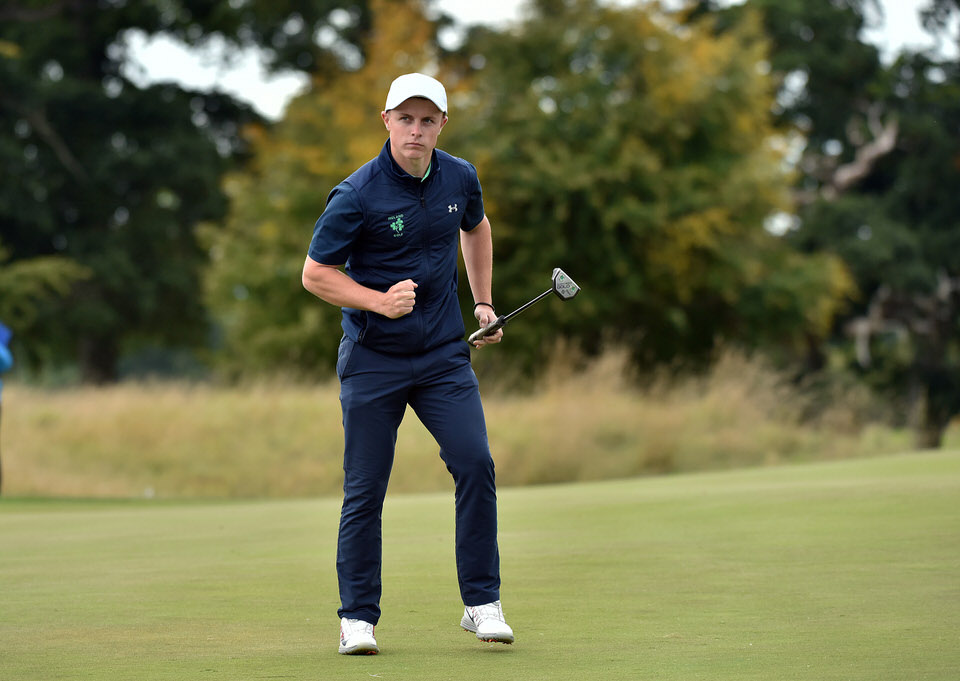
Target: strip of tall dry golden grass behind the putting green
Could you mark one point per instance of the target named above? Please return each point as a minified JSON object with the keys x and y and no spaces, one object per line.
{"x":285,"y":439}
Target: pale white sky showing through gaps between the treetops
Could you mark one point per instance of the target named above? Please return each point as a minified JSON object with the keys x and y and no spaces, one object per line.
{"x":161,"y":59}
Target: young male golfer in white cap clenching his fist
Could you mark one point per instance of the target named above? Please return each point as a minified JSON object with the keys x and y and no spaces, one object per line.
{"x":394,"y":226}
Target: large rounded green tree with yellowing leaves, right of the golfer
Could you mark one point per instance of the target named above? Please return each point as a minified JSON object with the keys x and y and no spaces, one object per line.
{"x":640,"y":155}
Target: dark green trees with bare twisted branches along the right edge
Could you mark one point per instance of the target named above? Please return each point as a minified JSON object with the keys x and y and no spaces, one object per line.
{"x":876,"y":188}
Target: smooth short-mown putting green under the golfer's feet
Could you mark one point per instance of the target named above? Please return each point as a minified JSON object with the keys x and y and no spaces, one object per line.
{"x":847,"y":570}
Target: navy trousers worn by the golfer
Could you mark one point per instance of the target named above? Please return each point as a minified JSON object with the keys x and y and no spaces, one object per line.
{"x":440,"y":386}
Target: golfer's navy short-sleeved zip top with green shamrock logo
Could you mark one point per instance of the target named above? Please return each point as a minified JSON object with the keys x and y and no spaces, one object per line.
{"x":387,"y":226}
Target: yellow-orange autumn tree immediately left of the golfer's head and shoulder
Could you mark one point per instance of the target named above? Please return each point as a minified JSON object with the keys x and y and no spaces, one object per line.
{"x":253,"y":288}
